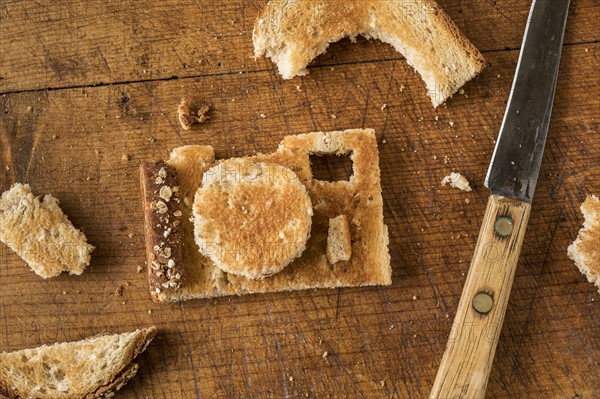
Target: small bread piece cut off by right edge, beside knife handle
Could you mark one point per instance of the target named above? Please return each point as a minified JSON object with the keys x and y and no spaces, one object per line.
{"x":585,"y":250}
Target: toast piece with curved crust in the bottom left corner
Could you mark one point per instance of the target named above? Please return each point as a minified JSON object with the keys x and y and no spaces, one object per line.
{"x":91,"y":368}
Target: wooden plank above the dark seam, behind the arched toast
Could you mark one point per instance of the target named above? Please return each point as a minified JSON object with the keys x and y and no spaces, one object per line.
{"x":64,"y":43}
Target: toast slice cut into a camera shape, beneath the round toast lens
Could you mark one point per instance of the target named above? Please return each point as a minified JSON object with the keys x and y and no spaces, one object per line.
{"x":358,"y":198}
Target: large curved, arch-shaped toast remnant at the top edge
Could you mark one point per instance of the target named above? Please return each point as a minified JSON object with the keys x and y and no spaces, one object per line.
{"x":292,"y":34}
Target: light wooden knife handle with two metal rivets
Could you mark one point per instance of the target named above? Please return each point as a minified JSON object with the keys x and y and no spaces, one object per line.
{"x":469,"y":354}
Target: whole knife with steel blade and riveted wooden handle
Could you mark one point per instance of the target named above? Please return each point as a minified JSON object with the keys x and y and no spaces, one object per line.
{"x":511,"y":178}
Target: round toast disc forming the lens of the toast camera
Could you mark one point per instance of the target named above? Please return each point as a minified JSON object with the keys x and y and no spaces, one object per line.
{"x":251,"y":218}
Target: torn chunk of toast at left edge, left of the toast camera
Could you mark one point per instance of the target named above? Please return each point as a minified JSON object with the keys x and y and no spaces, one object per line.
{"x":41,"y":234}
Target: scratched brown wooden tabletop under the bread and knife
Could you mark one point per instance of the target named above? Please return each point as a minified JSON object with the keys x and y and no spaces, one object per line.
{"x":84,"y":83}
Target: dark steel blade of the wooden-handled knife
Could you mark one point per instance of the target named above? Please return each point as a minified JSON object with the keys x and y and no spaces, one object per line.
{"x":515,"y":165}
